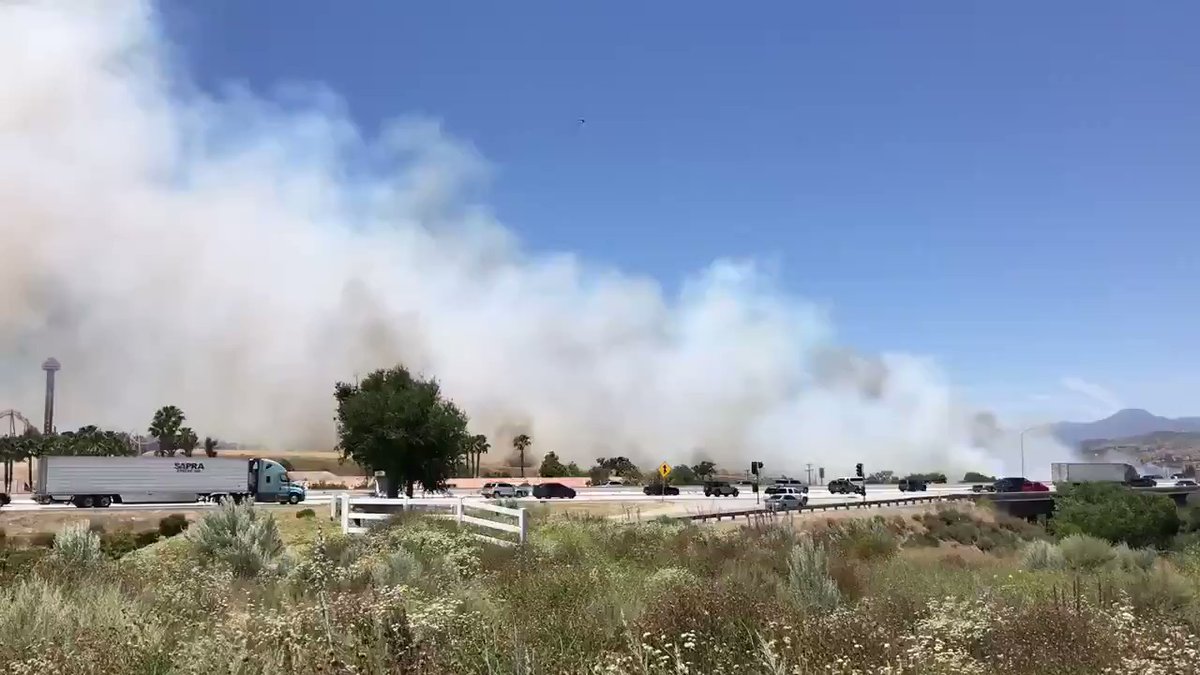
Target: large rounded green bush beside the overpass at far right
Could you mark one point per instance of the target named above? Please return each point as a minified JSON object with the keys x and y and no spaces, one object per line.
{"x":1115,"y":513}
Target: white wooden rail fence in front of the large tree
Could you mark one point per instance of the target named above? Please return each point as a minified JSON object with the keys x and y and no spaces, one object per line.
{"x":343,"y":507}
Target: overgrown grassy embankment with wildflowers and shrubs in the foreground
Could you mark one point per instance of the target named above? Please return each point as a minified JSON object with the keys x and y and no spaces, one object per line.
{"x":929,"y":593}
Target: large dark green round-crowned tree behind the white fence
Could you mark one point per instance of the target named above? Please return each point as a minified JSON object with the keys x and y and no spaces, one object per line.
{"x":403,"y":426}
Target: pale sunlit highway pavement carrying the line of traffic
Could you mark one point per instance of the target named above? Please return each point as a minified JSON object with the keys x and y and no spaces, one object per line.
{"x":689,"y":498}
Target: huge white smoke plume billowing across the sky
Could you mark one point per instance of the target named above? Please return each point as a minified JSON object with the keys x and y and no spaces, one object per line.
{"x":237,"y":255}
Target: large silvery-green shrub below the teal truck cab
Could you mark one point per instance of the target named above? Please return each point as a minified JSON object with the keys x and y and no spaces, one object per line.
{"x":241,"y":536}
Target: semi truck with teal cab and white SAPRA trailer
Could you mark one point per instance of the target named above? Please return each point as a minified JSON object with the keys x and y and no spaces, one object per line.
{"x":99,"y":482}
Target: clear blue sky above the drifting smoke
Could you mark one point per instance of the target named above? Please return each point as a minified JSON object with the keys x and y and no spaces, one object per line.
{"x":1010,"y":188}
